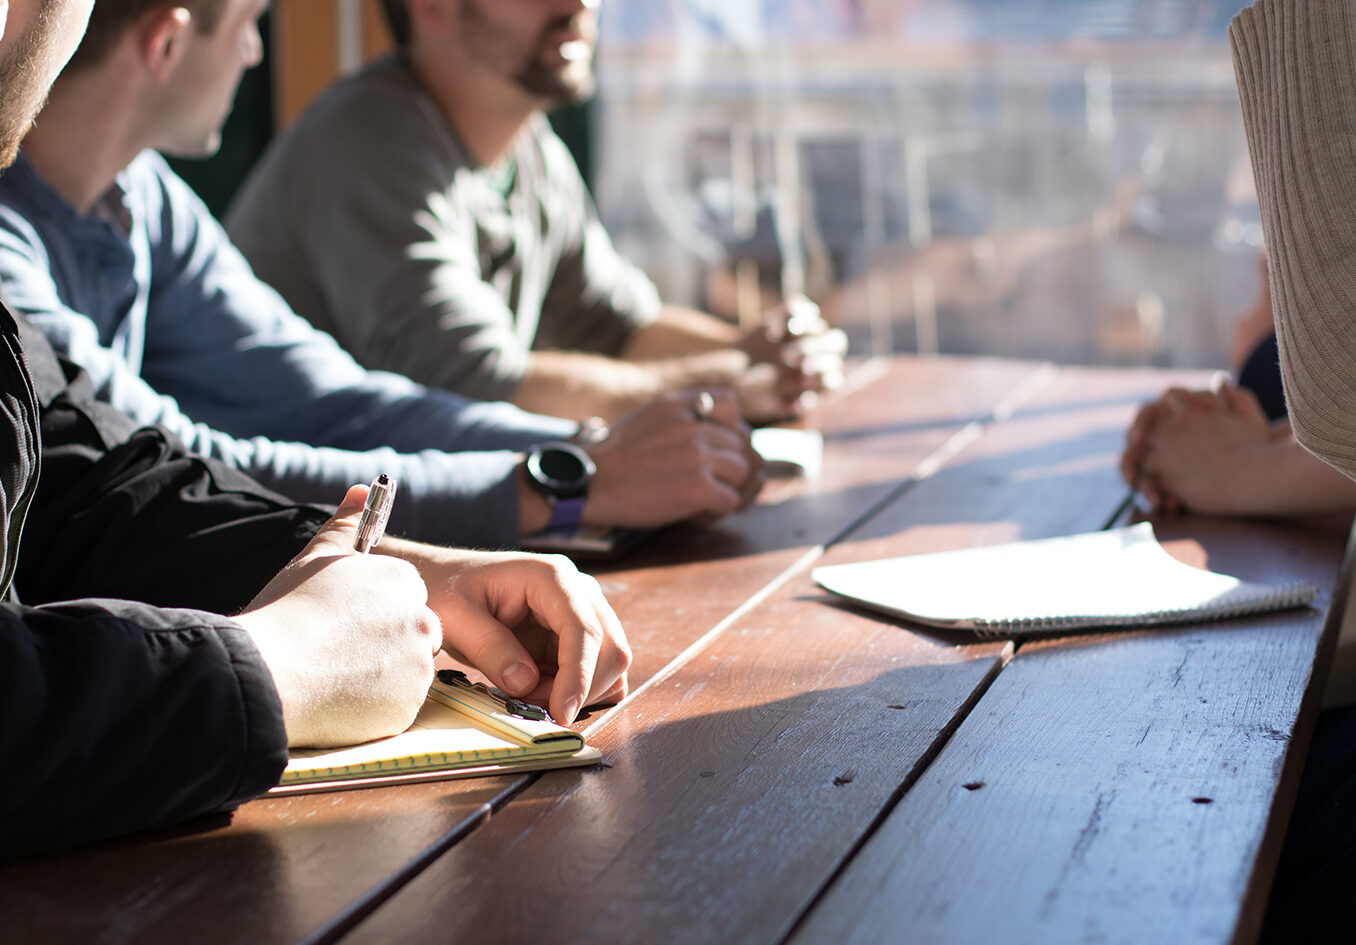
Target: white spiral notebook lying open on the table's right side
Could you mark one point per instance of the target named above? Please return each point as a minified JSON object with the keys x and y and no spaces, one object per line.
{"x":1119,"y":578}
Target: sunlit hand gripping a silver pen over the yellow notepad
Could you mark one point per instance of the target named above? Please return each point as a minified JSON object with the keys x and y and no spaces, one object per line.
{"x":348,"y":638}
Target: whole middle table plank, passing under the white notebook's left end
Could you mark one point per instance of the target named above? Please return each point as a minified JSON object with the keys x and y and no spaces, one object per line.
{"x":745,"y":780}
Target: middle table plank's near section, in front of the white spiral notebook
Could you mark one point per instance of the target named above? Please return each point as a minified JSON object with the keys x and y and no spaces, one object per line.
{"x":736,"y":790}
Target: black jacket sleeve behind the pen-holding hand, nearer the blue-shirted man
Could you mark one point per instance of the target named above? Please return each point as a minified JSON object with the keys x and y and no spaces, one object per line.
{"x":127,"y":512}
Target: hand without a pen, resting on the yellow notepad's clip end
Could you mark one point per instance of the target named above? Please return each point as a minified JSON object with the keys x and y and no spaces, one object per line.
{"x":534,"y":624}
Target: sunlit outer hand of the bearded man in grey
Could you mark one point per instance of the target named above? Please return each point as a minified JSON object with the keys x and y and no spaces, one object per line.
{"x":794,"y":357}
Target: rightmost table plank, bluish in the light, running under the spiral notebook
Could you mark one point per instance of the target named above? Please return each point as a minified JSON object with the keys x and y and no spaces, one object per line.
{"x":1114,"y":788}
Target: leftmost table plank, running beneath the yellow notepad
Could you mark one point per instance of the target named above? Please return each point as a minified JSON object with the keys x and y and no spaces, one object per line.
{"x":281,"y":870}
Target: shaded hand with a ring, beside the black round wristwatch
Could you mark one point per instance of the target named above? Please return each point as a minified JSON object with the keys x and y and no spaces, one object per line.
{"x":665,"y":463}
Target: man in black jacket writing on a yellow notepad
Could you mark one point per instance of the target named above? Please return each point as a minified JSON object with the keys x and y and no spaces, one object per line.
{"x":128,"y":700}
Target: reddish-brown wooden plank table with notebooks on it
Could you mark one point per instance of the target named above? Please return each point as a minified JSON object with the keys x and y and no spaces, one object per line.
{"x":793,"y":771}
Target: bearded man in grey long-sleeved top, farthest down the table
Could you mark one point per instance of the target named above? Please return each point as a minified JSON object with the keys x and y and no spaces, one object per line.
{"x":425,"y":215}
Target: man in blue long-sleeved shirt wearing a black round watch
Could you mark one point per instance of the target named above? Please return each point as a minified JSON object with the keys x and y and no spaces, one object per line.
{"x":119,"y":262}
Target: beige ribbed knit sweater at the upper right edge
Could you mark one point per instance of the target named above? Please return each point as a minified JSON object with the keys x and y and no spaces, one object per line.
{"x":1296,"y":62}
